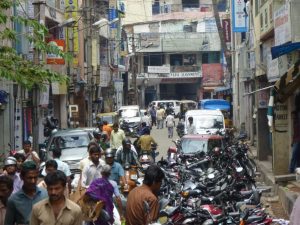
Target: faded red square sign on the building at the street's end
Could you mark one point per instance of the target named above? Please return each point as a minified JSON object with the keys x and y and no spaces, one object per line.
{"x":212,"y":75}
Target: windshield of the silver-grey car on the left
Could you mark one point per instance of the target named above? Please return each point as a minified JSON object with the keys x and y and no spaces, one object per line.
{"x":70,"y":141}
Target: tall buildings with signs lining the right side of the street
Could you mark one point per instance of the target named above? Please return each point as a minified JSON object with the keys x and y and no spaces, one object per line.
{"x":260,"y":72}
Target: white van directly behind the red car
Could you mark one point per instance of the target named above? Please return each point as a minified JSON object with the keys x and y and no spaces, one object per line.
{"x":205,"y":121}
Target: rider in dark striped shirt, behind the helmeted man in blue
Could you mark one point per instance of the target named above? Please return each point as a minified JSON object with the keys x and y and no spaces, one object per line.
{"x":126,"y":154}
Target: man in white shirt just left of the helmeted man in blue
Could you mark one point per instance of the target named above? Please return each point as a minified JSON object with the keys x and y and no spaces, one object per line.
{"x":92,"y":170}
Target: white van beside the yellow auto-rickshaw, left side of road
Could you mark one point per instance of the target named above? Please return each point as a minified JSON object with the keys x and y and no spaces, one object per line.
{"x":130,"y":113}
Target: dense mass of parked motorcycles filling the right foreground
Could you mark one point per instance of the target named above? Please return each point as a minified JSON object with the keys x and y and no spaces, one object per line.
{"x":217,"y":187}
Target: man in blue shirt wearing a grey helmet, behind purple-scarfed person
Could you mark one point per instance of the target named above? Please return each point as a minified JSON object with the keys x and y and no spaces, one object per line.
{"x":117,"y":171}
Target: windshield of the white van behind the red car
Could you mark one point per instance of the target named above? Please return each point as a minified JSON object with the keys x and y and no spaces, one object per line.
{"x":208,"y":122}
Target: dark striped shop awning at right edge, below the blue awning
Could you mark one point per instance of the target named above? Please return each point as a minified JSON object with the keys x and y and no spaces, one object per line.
{"x":288,"y":83}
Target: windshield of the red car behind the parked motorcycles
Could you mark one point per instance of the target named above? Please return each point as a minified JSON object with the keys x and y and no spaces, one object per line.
{"x":195,"y":146}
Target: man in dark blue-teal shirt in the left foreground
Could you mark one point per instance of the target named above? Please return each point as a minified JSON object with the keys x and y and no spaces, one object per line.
{"x":20,"y":204}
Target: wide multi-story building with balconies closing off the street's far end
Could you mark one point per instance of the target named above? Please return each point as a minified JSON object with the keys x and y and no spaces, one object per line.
{"x":178,"y":52}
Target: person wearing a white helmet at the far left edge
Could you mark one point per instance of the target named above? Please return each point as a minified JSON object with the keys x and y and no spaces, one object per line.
{"x":10,"y":169}
